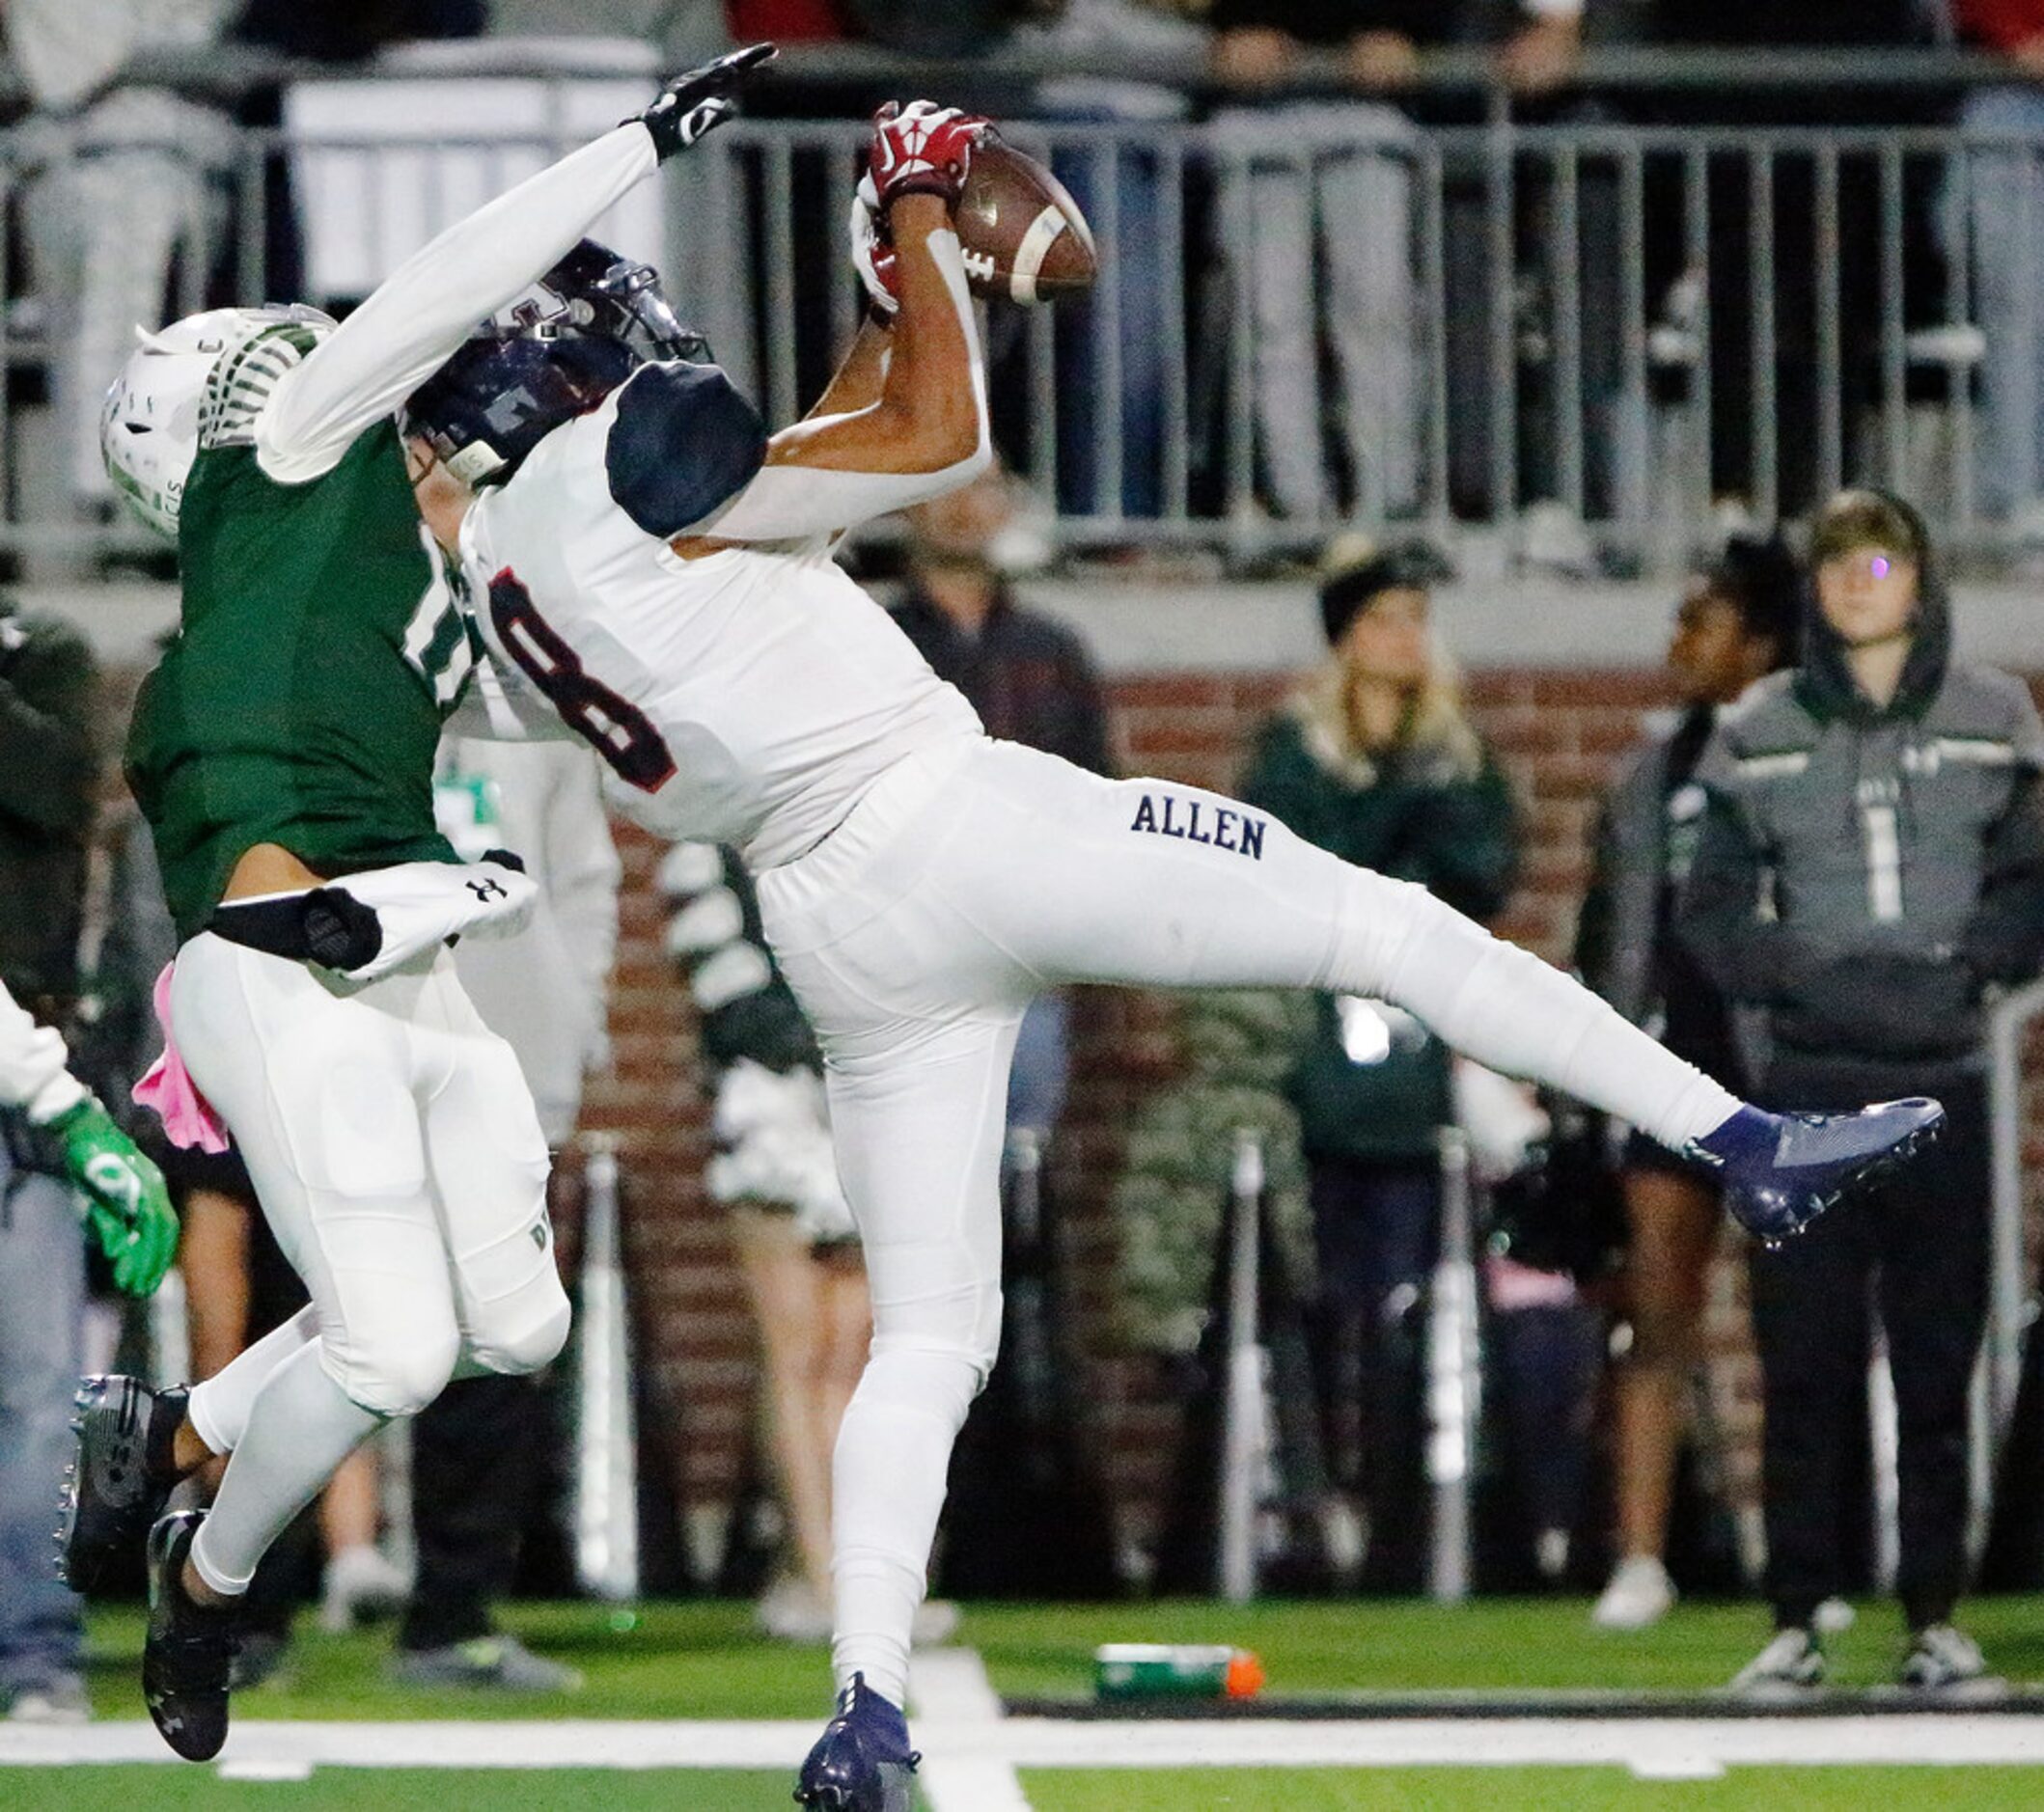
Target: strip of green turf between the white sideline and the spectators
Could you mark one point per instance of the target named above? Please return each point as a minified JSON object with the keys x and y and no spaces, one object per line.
{"x":704,"y":1662}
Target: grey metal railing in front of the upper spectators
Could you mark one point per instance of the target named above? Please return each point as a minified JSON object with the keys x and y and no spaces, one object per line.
{"x":1589,"y":338}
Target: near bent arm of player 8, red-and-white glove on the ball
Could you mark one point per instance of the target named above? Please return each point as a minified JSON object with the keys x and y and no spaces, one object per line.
{"x":907,"y":418}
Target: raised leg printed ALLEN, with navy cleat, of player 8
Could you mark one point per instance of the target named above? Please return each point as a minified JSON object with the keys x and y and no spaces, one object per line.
{"x":1166,"y":886}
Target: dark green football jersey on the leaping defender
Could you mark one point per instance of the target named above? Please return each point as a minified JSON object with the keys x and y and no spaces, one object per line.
{"x":301,"y":702}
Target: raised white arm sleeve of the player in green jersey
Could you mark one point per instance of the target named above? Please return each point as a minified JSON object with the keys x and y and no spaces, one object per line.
{"x":428,"y":305}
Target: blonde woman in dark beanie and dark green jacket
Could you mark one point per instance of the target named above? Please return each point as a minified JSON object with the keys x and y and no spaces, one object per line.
{"x":1377,"y":763}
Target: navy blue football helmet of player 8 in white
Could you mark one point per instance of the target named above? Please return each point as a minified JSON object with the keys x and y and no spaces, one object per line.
{"x":553,"y":352}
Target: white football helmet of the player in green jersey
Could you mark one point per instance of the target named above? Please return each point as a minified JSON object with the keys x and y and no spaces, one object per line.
{"x":150,"y":424}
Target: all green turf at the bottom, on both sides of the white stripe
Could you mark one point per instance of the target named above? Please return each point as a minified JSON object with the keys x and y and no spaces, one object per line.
{"x":688,"y":1672}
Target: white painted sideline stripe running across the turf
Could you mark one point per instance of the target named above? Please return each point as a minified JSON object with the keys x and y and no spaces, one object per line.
{"x":972,"y":1758}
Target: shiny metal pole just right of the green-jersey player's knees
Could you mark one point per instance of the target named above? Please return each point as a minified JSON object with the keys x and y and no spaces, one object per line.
{"x":606,"y":1443}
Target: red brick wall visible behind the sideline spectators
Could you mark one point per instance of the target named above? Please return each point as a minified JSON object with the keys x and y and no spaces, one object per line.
{"x":1559,"y":736}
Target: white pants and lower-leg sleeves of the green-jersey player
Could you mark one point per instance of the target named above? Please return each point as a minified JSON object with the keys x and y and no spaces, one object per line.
{"x":400,"y":1163}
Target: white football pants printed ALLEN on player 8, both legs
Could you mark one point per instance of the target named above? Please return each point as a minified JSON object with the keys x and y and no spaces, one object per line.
{"x":970,"y":879}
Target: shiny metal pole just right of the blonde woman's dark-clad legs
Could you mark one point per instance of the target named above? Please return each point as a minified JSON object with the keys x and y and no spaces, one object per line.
{"x":1454,"y":1380}
